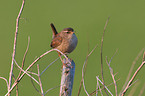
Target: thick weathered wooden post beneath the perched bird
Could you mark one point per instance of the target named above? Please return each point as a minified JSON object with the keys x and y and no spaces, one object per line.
{"x":67,"y":78}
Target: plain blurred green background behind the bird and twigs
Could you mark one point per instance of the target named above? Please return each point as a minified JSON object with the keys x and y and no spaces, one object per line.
{"x":125,"y":32}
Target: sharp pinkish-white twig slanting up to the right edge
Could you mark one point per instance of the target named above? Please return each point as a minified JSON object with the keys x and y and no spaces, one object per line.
{"x":131,"y":80}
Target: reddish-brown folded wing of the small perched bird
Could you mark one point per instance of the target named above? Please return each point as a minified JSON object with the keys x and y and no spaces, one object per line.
{"x":57,"y":40}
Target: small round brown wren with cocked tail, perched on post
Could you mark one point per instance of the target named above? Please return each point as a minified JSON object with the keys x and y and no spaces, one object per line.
{"x":65,"y":41}
